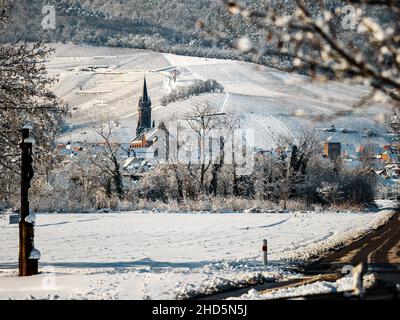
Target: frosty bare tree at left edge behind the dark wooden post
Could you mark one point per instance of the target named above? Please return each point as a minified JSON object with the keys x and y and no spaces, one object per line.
{"x":25,"y":97}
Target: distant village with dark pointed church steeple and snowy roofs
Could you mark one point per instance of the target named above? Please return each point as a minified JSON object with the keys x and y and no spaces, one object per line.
{"x":143,"y":153}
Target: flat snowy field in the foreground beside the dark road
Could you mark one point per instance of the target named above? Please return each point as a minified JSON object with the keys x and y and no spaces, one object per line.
{"x":168,"y":256}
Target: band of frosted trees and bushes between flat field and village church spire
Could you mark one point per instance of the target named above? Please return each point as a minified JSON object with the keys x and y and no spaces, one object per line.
{"x":293,"y":173}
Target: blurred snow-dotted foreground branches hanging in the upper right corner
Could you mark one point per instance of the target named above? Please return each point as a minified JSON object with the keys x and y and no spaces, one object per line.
{"x":355,"y":40}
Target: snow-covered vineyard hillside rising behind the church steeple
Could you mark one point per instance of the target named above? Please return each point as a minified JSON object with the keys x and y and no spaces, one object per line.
{"x":107,"y":83}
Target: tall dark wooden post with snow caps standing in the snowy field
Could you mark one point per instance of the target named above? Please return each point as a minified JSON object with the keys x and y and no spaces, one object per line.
{"x":28,"y":255}
